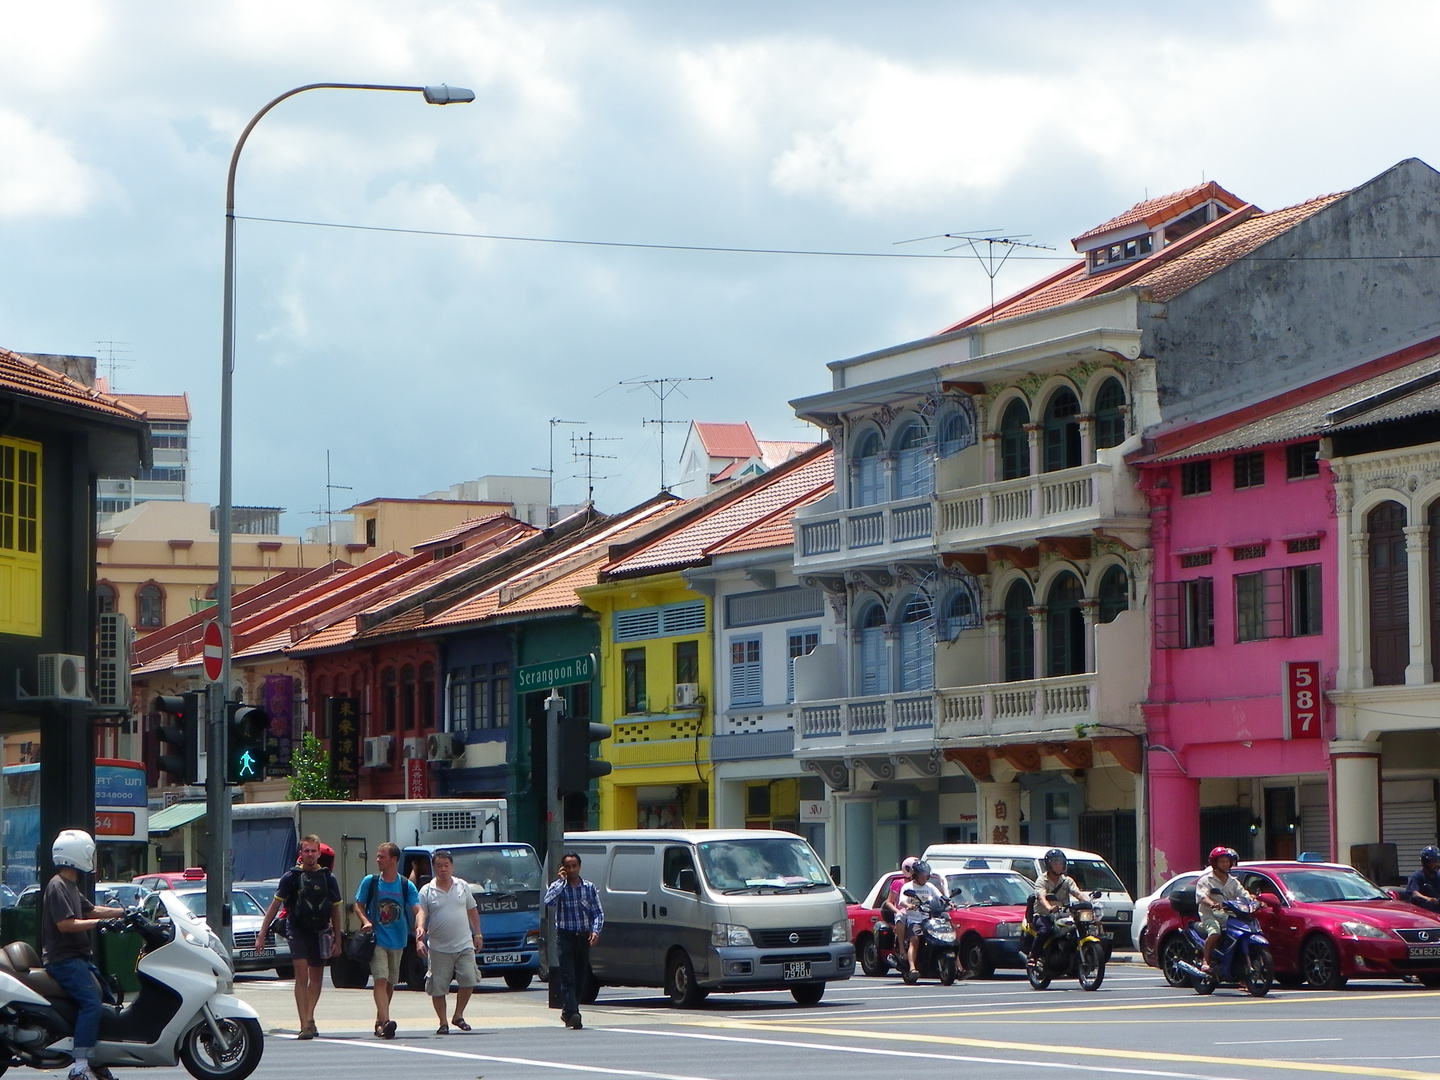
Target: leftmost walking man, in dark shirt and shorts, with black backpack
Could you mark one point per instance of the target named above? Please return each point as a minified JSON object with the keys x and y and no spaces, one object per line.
{"x":312,"y":899}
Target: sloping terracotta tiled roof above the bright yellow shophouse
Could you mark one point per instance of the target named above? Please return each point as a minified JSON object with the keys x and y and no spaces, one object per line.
{"x":762,"y":496}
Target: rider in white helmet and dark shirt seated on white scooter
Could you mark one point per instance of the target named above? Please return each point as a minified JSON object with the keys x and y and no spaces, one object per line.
{"x":67,"y":918}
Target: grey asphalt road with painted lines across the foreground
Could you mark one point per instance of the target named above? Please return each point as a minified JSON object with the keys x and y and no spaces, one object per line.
{"x":1134,"y":1027}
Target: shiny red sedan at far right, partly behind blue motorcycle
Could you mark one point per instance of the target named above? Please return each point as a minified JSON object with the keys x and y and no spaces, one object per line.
{"x":1326,"y":924}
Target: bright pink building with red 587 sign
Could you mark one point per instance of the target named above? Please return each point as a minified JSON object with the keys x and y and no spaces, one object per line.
{"x":1246,"y":627}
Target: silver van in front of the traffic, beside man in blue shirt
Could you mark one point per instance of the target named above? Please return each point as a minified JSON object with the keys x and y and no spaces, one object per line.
{"x":701,"y":911}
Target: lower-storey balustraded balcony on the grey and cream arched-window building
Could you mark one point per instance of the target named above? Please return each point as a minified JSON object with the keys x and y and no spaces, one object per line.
{"x":906,"y":724}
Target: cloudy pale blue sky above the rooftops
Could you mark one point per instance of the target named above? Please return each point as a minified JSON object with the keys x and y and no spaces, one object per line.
{"x":420,"y":356}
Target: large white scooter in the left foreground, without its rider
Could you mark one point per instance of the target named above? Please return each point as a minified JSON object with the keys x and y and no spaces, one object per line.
{"x":185,"y":1012}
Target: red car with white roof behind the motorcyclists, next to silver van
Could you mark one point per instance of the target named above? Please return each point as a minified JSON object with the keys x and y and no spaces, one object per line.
{"x":990,"y":908}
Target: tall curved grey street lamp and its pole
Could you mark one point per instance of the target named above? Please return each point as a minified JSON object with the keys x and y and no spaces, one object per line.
{"x":218,"y":809}
